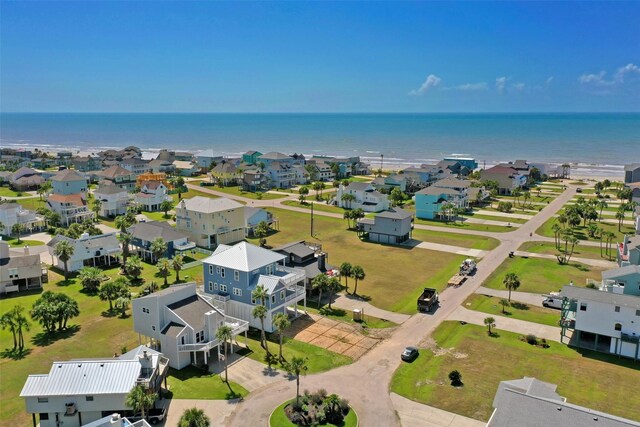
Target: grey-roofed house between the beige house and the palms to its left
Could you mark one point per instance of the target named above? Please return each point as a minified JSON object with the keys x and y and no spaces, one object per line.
{"x":143,"y":233}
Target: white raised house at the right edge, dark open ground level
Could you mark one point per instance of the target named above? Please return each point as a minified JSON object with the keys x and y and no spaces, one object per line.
{"x":605,"y":319}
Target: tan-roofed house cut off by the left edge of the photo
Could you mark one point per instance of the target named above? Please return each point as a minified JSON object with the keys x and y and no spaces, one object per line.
{"x":19,"y":270}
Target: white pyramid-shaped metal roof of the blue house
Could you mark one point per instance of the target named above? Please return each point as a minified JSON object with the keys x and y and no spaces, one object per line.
{"x":243,"y":256}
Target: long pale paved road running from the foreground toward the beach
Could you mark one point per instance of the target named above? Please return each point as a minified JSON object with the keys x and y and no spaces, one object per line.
{"x":365,"y":382}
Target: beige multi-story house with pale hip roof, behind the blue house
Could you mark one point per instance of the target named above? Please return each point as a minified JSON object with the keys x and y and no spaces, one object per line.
{"x":211,"y":222}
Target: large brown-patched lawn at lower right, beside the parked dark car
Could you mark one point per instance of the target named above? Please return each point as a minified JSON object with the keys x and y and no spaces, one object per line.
{"x":597,"y":381}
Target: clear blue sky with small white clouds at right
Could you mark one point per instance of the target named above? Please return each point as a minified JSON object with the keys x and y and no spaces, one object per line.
{"x":319,"y":57}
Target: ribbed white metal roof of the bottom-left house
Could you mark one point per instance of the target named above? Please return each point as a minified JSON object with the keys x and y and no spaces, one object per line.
{"x":110,"y":376}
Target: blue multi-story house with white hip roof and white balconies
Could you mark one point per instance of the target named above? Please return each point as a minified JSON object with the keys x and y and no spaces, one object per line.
{"x":232,"y":273}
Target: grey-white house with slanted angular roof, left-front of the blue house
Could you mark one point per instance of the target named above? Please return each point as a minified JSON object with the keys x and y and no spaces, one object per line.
{"x":183,"y":323}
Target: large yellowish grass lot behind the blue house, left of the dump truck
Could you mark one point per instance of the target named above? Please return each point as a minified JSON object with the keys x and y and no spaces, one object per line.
{"x":405,"y":270}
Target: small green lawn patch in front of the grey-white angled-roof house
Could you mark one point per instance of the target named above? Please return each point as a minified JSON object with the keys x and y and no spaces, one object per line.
{"x":194,"y":383}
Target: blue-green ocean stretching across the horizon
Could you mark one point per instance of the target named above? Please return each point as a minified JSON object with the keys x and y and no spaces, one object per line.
{"x":597,"y":143}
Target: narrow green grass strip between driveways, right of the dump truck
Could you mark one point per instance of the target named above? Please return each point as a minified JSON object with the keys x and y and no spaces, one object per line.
{"x":516,"y":310}
